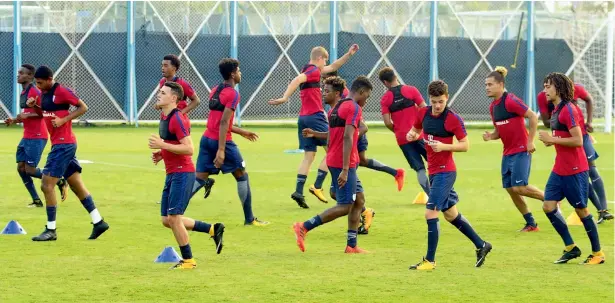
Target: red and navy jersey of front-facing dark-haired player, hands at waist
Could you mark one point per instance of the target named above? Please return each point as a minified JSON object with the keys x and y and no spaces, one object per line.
{"x":441,"y":128}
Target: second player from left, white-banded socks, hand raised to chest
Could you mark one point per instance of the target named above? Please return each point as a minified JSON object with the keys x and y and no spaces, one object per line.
{"x":61,"y":161}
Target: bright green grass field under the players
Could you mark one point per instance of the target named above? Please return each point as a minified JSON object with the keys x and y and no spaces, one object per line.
{"x":264,"y":264}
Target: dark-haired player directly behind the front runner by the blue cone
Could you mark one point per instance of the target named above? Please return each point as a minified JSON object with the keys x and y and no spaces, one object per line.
{"x":217,"y":150}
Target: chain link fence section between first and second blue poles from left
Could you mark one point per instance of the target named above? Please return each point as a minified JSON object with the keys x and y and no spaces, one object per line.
{"x":85,"y":44}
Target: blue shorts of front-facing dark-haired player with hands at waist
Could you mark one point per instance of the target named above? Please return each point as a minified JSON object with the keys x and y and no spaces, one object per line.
{"x":442,"y":195}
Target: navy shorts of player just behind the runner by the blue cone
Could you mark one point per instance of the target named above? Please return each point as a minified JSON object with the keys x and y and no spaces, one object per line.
{"x":207,"y":153}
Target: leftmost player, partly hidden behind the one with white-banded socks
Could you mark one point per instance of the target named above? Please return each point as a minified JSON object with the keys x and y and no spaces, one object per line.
{"x":32,"y":144}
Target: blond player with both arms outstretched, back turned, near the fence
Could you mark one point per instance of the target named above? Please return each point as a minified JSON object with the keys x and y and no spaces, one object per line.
{"x":311,"y":114}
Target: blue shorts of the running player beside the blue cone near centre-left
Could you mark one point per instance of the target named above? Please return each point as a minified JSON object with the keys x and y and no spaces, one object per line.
{"x":176,"y":193}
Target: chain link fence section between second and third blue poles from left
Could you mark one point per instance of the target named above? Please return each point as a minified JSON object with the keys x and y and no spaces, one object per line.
{"x":197,"y":32}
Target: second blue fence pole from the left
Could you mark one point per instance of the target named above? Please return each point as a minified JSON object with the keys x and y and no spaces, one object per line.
{"x":131,"y":92}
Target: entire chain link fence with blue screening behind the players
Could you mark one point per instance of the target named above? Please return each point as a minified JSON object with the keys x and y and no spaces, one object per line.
{"x":86,"y":43}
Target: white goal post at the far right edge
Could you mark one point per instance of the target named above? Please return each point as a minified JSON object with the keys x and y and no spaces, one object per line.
{"x":608,"y":110}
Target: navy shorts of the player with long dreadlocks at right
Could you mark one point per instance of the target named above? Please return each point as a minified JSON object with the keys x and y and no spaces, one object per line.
{"x":573,"y":188}
